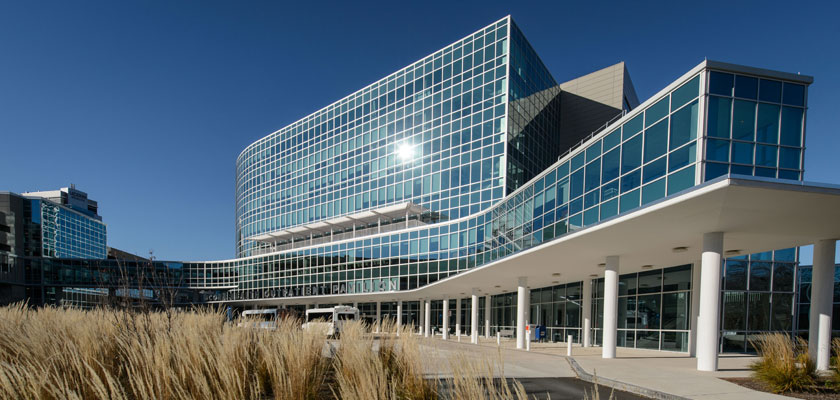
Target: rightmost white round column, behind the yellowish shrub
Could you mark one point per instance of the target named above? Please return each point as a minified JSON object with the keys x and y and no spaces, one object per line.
{"x":822,"y":293}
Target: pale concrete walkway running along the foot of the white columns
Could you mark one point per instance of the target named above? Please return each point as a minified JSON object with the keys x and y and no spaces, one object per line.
{"x":667,"y":372}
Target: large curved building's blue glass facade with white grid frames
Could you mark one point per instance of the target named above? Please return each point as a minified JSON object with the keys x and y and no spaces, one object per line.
{"x":461,"y":161}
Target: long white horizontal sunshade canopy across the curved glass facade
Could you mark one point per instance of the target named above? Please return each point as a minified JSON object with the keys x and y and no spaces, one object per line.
{"x":344,"y":222}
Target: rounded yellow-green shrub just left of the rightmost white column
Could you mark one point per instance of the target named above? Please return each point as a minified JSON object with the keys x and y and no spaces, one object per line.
{"x":784,"y":363}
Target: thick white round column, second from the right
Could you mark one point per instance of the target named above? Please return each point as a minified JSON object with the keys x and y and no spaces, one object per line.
{"x":708,"y":322}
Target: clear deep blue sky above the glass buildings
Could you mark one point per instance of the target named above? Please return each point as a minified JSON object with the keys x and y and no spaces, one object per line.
{"x":145,"y":105}
